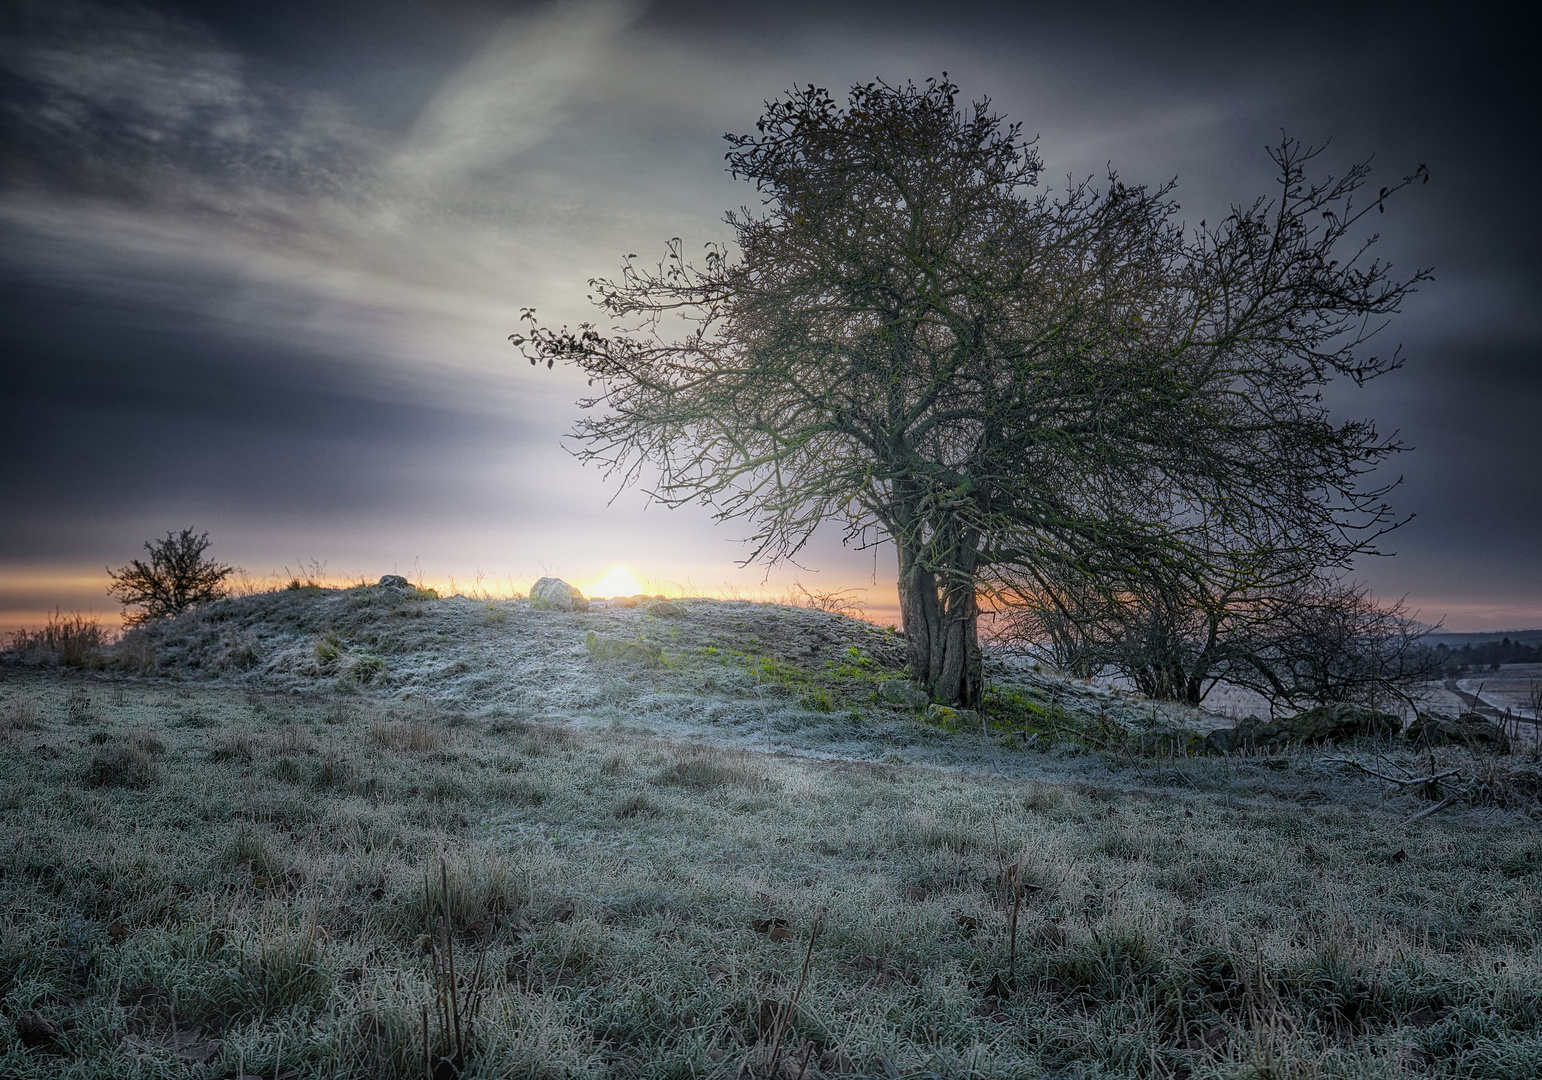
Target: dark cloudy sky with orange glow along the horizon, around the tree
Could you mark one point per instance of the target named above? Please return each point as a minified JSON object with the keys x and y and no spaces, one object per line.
{"x":260,"y":263}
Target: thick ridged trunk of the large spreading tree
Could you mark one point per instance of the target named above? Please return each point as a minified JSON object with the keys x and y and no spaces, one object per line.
{"x":941,"y":621}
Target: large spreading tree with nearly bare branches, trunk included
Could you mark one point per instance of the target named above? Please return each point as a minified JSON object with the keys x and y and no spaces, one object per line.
{"x":912,"y":340}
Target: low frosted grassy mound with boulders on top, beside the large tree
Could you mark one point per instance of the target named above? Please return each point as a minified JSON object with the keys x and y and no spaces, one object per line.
{"x":735,"y":675}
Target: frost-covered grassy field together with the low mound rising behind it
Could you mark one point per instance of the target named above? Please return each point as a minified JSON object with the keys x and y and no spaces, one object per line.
{"x":260,"y":854}
